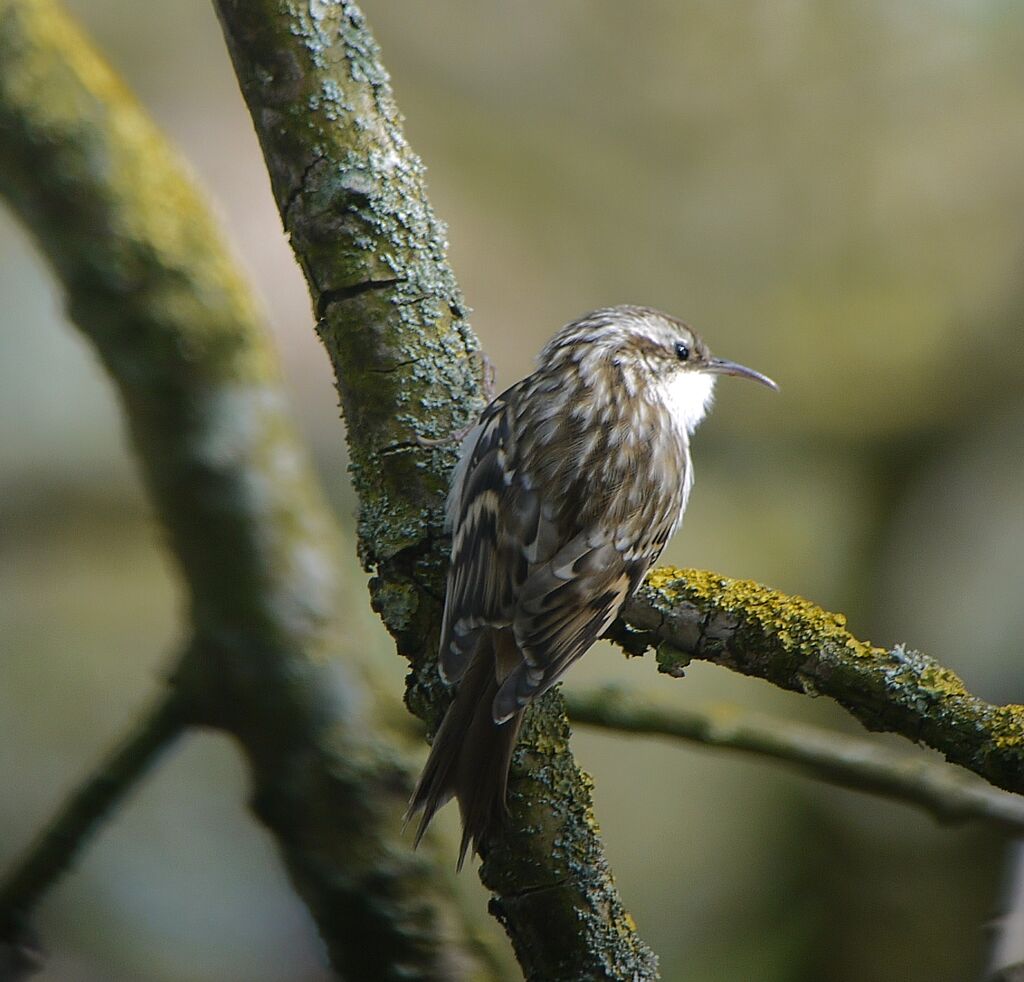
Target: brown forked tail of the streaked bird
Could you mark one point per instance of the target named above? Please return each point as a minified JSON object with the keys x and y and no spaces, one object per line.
{"x":472,"y":754}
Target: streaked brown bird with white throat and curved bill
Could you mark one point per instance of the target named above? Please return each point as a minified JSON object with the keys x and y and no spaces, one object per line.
{"x":567,"y":491}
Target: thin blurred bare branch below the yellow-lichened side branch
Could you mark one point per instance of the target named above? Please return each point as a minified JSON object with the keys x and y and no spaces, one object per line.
{"x":950,"y":795}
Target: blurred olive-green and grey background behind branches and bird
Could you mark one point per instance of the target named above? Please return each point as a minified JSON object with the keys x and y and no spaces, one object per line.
{"x":833,"y":194}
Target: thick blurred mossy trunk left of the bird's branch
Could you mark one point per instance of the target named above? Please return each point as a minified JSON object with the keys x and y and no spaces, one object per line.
{"x":150,"y":284}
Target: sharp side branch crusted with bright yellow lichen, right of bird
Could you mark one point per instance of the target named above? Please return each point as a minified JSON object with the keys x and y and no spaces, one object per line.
{"x":796,"y":646}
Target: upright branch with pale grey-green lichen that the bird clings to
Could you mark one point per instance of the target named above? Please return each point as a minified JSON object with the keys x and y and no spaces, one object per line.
{"x":351,"y":193}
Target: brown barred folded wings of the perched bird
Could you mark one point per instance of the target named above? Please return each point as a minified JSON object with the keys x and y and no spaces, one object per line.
{"x":528,"y":563}
